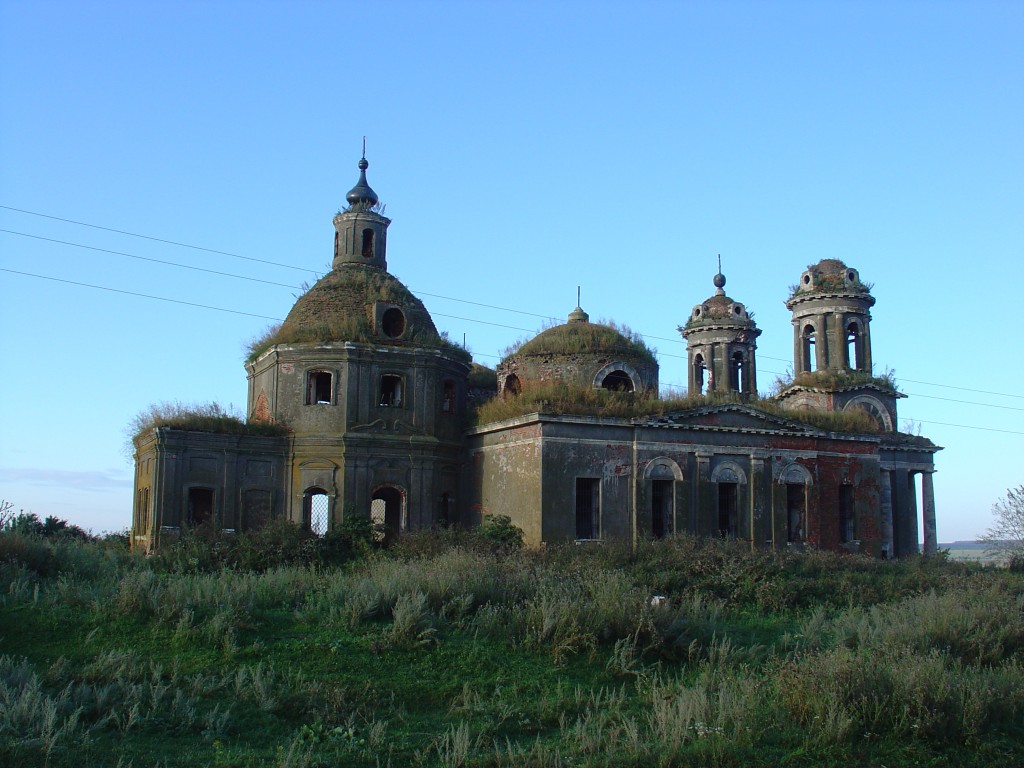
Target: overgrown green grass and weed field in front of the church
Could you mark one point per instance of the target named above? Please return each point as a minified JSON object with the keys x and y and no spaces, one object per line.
{"x":451,"y":650}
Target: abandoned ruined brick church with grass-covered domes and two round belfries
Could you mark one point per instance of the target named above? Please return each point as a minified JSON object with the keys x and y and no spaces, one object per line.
{"x":373,"y":402}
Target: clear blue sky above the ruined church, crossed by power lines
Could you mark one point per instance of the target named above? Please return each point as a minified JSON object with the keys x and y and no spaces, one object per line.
{"x":523,"y":149}
